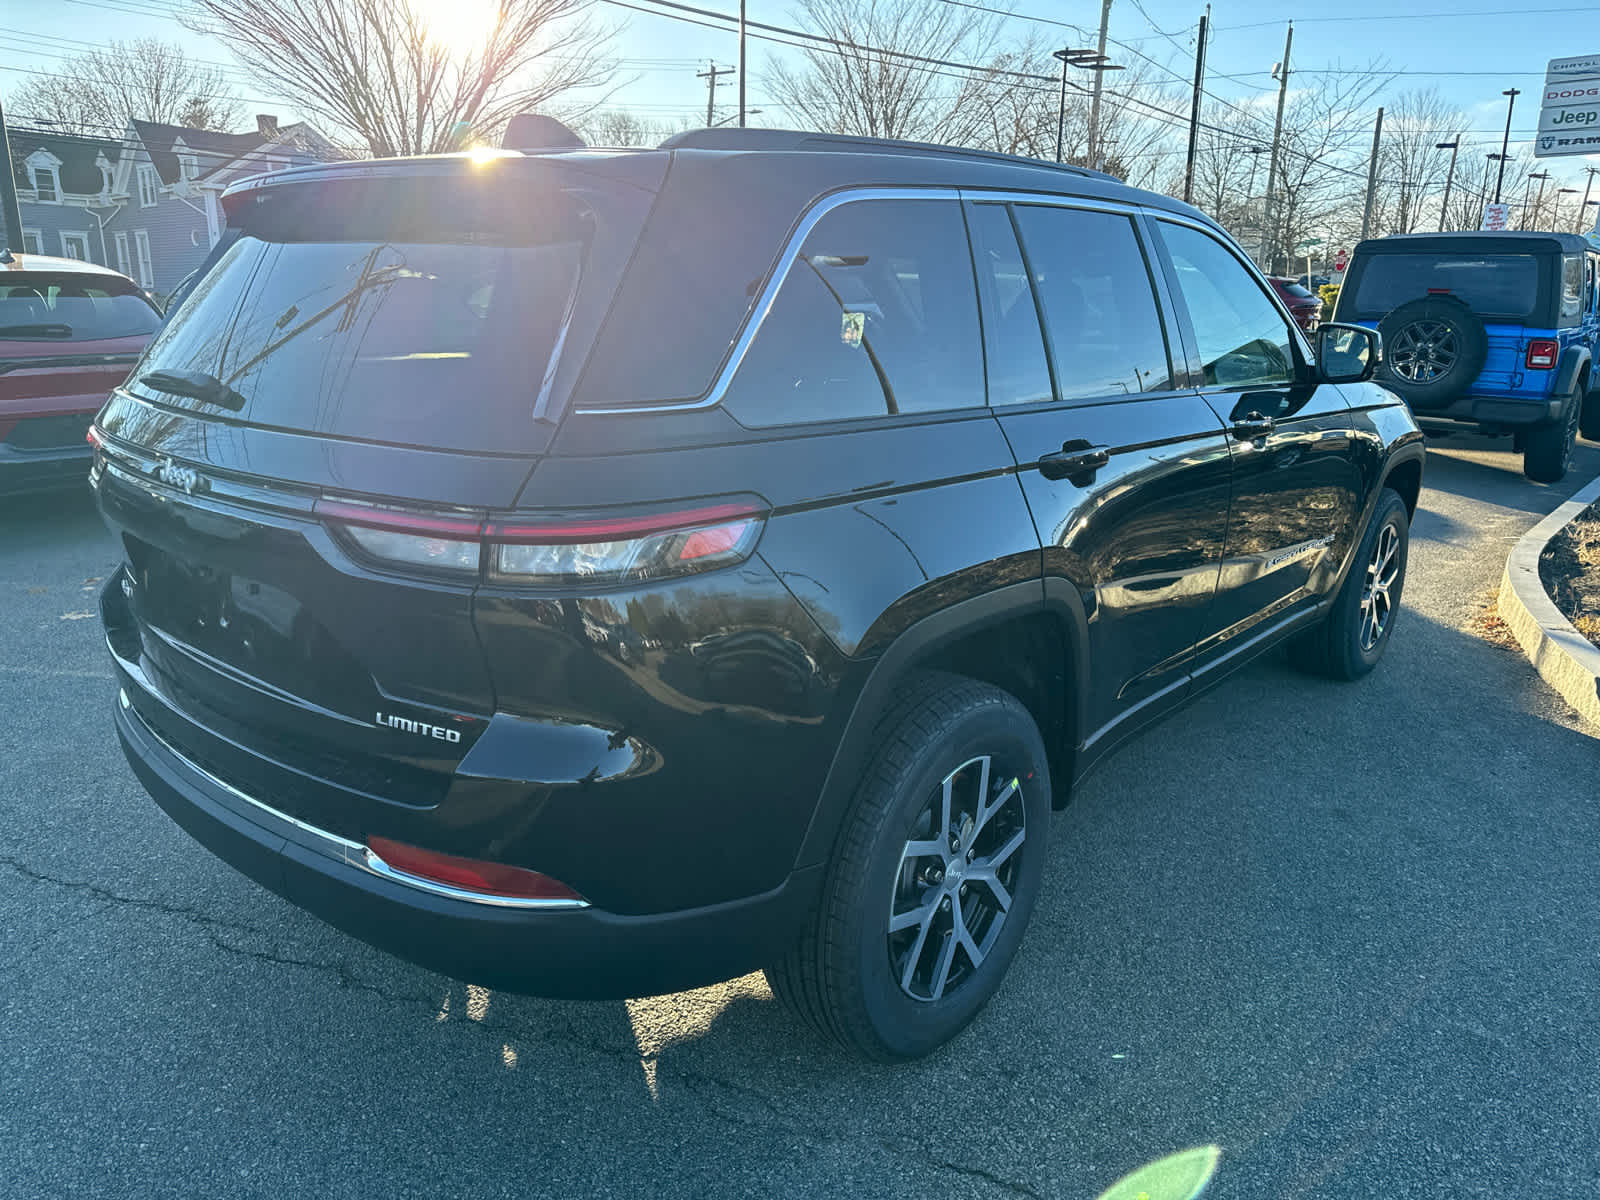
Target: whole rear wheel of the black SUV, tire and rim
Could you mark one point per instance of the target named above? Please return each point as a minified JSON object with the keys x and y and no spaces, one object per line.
{"x":895,"y":996}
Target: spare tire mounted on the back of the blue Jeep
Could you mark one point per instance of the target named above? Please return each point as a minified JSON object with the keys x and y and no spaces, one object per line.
{"x":1434,"y":350}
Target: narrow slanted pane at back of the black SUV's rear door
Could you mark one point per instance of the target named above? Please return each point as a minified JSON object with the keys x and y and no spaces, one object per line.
{"x":1014,"y":345}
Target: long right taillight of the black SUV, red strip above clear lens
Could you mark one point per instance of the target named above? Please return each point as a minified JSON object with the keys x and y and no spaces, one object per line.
{"x":548,"y":551}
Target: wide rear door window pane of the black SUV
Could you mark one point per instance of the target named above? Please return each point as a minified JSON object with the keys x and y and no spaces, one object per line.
{"x":1100,"y":308}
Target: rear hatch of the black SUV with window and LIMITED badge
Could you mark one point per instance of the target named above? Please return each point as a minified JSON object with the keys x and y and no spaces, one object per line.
{"x":300,"y":466}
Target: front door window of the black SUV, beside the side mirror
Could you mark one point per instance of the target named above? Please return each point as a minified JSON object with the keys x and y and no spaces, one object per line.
{"x":1242,"y":338}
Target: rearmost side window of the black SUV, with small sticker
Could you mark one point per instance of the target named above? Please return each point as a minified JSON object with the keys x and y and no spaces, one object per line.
{"x":876,"y":316}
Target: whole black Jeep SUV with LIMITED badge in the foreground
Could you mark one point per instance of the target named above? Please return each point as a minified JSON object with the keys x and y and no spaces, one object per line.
{"x":602,"y":574}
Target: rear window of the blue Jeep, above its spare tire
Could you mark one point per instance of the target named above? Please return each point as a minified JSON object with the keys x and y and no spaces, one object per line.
{"x":1492,"y":286}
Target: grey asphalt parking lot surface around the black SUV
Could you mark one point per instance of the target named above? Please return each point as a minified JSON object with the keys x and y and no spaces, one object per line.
{"x":1343,"y":932}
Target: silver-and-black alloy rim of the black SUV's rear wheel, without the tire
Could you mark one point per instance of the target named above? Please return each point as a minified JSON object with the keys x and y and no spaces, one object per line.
{"x":956,"y":879}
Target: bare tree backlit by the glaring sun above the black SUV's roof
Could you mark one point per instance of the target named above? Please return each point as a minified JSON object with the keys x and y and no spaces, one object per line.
{"x":382,"y":71}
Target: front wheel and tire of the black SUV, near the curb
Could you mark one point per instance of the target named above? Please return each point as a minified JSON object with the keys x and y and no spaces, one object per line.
{"x":1345,"y":646}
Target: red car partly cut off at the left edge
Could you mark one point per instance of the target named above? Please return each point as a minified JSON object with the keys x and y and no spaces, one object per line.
{"x":70,"y":332}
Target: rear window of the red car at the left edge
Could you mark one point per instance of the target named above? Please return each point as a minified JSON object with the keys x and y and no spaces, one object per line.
{"x":73,"y":308}
